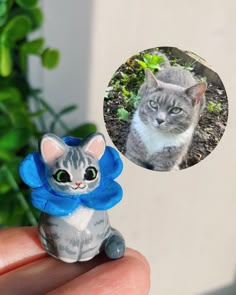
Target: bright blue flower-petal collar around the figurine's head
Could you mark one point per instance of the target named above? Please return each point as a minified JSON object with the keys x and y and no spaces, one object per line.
{"x":33,"y":172}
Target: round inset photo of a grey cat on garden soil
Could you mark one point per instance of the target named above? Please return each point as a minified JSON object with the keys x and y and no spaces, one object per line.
{"x":165,"y":109}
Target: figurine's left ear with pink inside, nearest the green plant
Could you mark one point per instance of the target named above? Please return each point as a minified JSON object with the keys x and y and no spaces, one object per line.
{"x":51,"y":148}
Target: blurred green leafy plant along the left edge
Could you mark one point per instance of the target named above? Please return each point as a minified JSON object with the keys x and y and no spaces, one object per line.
{"x":22,"y":107}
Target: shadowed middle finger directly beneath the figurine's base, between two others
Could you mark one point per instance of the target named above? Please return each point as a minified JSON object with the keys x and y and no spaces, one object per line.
{"x":43,"y":275}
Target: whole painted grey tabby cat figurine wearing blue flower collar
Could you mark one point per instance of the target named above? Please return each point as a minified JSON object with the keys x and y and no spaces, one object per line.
{"x":73,"y":188}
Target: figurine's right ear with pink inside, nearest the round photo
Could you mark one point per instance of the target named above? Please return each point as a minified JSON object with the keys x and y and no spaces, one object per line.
{"x":95,"y":145}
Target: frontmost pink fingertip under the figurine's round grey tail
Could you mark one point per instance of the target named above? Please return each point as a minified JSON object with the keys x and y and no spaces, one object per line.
{"x":129,"y":275}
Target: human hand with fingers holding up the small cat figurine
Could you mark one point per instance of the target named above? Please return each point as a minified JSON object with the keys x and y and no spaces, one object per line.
{"x":25,"y":268}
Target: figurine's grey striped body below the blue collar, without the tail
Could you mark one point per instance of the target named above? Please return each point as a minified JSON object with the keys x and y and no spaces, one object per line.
{"x":64,"y":241}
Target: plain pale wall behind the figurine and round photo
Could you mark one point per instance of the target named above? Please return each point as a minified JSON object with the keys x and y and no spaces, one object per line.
{"x":183,"y":222}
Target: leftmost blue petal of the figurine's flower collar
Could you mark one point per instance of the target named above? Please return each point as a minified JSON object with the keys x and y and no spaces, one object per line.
{"x":30,"y":170}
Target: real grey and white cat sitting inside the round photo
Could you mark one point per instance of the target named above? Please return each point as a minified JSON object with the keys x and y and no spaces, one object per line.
{"x":163,"y":125}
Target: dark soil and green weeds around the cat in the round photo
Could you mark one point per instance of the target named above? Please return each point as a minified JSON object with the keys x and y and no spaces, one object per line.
{"x":121,"y":100}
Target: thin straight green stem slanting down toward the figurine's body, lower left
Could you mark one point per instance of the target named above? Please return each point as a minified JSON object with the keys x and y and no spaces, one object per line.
{"x":19,"y":196}
